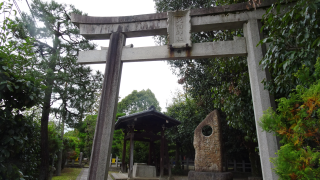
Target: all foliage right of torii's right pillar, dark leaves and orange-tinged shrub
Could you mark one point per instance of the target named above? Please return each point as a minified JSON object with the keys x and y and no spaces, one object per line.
{"x":294,"y":42}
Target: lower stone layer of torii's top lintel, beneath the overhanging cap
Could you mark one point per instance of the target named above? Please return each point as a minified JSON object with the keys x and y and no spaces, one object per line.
{"x":159,"y":27}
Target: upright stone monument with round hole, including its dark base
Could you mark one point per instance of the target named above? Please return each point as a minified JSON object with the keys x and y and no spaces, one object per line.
{"x":208,"y":147}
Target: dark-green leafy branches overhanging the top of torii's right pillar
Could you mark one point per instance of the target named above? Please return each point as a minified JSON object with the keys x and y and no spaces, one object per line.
{"x":293,"y":40}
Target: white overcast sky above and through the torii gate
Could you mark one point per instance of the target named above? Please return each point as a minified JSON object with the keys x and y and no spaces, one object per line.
{"x":155,"y":75}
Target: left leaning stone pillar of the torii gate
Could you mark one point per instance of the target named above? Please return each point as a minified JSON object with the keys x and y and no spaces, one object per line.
{"x":101,"y":149}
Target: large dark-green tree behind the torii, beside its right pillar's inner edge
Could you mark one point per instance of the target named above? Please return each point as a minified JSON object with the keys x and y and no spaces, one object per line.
{"x":219,"y":83}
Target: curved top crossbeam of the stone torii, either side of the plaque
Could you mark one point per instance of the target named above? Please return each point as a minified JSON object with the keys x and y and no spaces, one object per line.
{"x":202,"y":19}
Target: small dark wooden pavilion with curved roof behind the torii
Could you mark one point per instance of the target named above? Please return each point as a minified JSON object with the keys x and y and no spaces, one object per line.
{"x":145,"y":126}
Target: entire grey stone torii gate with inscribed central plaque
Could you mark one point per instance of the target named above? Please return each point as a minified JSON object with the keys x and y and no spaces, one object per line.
{"x":178,"y":26}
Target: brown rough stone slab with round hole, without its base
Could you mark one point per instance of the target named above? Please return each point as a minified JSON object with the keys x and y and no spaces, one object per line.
{"x":208,"y":148}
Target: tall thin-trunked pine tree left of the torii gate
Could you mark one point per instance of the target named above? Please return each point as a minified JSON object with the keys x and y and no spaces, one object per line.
{"x":57,"y":43}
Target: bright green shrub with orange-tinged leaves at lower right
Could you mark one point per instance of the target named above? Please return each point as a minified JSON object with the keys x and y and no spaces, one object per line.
{"x":296,"y":122}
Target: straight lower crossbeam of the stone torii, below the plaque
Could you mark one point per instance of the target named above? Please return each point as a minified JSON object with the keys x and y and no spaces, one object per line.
{"x":154,"y":53}
